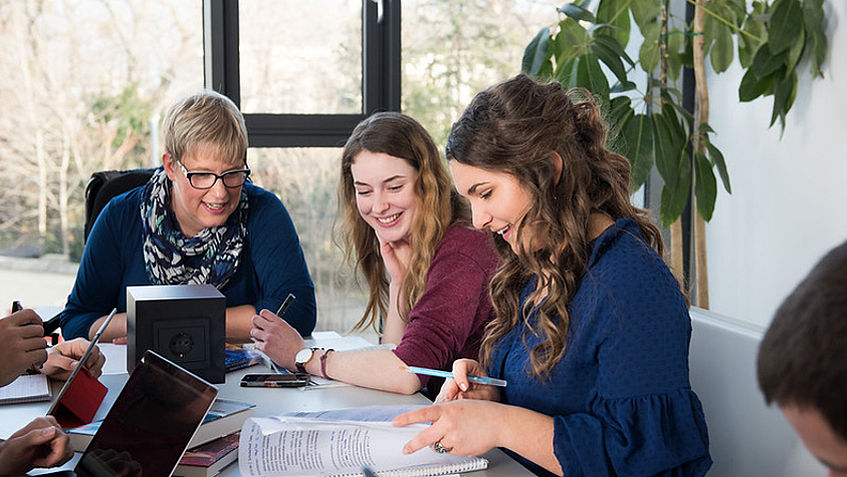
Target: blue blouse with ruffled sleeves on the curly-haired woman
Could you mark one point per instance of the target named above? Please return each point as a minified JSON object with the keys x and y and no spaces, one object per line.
{"x":620,"y":396}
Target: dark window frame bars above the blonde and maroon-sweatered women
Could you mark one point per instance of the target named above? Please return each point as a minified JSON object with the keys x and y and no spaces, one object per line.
{"x":380,"y":76}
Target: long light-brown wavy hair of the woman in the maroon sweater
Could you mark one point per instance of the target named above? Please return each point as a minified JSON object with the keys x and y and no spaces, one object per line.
{"x":438,"y":205}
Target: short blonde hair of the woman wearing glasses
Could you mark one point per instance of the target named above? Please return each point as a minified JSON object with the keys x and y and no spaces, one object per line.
{"x":206,"y":118}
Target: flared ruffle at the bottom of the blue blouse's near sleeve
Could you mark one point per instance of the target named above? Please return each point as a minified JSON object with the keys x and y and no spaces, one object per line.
{"x":659,"y":434}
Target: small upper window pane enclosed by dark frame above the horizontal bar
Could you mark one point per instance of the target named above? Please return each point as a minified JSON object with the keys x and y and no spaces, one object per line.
{"x":300,"y":57}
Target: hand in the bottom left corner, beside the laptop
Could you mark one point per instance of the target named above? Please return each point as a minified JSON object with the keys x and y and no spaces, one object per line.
{"x":40,"y":444}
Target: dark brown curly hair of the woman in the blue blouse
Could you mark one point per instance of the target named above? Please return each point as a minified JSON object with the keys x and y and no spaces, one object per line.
{"x":516,"y":127}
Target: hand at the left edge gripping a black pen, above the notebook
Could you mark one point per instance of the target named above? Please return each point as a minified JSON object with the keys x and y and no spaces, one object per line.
{"x":22,"y":335}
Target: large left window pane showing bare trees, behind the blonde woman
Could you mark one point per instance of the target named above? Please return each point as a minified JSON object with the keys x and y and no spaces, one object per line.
{"x":83,"y":87}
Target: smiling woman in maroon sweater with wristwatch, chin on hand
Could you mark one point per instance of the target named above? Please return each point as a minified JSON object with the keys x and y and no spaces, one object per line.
{"x":428,"y":271}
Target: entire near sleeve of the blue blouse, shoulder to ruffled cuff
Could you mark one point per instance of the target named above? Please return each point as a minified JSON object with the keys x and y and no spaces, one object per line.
{"x":642,"y":416}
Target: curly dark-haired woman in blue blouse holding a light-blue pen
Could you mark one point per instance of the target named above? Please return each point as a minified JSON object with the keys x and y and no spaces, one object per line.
{"x":591,"y":329}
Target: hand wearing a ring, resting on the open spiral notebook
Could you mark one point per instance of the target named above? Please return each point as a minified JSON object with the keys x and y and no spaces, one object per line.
{"x":464,"y":427}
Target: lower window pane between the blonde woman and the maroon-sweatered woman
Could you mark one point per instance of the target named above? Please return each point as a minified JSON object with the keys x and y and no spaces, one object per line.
{"x":305,"y":179}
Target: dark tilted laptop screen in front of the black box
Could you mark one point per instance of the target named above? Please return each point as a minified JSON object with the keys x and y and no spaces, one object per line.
{"x":151,"y":422}
